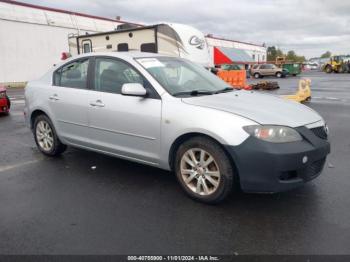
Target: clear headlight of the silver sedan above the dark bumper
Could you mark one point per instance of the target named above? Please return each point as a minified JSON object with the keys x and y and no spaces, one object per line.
{"x":274,"y":134}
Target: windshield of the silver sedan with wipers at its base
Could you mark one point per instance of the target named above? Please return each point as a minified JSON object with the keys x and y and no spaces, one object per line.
{"x":183,"y":78}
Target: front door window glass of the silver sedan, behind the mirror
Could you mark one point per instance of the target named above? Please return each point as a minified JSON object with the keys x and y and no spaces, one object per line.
{"x":111,"y":75}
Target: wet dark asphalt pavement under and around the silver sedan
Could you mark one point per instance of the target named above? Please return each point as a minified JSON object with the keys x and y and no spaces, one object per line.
{"x":87,"y":203}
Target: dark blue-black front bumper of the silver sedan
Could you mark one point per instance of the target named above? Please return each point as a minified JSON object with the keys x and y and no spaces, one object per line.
{"x":272,"y":167}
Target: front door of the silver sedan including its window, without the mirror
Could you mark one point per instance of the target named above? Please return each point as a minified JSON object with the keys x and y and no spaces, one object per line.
{"x":128,"y":126}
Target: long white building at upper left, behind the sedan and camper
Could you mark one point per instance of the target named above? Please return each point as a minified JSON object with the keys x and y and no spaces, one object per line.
{"x":33,"y":37}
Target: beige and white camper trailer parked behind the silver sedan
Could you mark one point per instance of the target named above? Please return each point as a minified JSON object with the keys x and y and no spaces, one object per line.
{"x":167,"y":38}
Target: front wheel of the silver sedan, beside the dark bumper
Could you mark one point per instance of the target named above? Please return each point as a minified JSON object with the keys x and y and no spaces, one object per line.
{"x":203,"y":170}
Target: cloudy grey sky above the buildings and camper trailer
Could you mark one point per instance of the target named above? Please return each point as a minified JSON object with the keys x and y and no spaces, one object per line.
{"x":309,"y":27}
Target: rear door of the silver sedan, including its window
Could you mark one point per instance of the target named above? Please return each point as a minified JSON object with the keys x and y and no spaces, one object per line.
{"x":69,"y":100}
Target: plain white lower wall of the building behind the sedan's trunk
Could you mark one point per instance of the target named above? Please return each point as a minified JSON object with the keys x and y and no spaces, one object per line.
{"x":27,"y":51}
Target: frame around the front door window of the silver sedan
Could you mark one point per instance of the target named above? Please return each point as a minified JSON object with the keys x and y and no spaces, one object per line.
{"x":152,"y":92}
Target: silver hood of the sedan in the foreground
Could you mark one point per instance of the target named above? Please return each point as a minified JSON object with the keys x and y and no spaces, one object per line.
{"x":261,"y":108}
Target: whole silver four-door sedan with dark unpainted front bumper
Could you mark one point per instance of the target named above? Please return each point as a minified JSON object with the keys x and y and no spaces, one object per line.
{"x":173,"y":114}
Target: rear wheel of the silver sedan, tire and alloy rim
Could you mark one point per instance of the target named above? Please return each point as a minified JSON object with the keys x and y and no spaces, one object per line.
{"x":46,"y":138}
